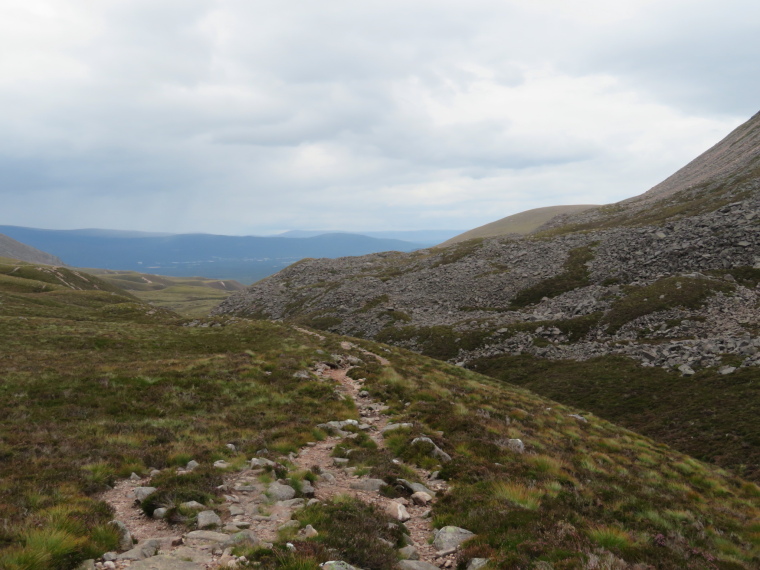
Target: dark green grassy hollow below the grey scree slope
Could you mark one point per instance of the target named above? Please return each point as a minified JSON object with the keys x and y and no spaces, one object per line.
{"x":710,"y":416}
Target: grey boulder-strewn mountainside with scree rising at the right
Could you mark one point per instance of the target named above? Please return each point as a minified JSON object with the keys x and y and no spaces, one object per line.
{"x":667,"y":280}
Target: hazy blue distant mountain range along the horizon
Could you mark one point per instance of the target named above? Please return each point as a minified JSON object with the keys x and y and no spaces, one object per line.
{"x":243,"y":258}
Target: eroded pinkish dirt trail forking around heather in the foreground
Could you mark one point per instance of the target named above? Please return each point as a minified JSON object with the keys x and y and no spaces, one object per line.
{"x":255,"y":511}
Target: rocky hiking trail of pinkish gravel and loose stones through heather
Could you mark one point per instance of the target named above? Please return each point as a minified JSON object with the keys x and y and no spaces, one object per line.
{"x":254,"y":513}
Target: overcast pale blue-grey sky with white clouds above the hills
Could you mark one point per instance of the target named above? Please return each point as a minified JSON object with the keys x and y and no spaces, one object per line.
{"x":251,"y":117}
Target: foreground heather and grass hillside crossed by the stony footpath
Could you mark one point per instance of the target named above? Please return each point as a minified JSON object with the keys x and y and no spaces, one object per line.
{"x":100,"y":388}
